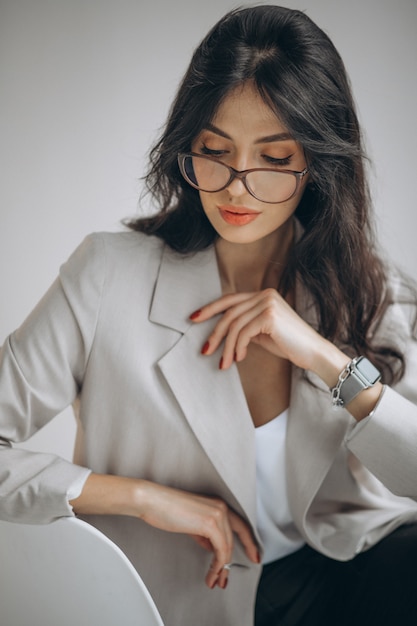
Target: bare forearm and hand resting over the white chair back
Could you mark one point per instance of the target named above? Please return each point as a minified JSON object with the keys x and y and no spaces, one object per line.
{"x":208,"y":520}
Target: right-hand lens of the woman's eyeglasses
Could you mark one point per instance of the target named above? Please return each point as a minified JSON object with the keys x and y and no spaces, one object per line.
{"x":271,"y":186}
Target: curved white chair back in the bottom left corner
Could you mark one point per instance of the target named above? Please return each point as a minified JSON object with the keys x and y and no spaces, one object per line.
{"x":69,"y":574}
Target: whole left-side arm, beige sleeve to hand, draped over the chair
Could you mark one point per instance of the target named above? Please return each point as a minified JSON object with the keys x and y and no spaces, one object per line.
{"x":42,"y":369}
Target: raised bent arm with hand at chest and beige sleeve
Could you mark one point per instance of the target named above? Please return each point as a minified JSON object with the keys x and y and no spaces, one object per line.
{"x":386,"y":441}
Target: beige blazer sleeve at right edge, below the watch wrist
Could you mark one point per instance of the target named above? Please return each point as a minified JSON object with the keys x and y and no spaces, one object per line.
{"x":386,"y":441}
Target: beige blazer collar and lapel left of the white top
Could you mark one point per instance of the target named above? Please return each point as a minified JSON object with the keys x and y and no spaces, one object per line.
{"x":212,"y":401}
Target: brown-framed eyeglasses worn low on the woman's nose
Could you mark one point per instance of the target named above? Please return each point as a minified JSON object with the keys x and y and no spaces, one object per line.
{"x":207,"y":174}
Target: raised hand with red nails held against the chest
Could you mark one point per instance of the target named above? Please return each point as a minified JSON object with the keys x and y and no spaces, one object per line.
{"x":264,"y":318}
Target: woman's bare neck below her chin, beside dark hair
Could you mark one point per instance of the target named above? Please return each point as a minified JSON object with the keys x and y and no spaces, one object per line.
{"x":257,"y":265}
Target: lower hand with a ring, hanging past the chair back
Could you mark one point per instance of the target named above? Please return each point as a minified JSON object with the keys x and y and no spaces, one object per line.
{"x":209,"y":521}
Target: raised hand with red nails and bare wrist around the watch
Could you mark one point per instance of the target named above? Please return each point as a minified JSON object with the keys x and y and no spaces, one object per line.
{"x":265,"y":318}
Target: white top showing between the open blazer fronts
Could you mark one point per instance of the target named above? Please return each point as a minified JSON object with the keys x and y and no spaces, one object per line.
{"x":275,"y":524}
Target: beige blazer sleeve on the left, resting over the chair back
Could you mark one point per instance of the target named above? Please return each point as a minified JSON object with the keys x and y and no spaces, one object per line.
{"x":42,"y":366}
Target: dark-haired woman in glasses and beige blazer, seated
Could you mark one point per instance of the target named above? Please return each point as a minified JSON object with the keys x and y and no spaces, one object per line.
{"x":242,"y":362}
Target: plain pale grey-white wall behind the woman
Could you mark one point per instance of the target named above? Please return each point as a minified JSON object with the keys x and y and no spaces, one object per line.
{"x":85,"y":85}
